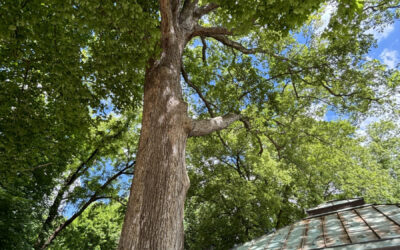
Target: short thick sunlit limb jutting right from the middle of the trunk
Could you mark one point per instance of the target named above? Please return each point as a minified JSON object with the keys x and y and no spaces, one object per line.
{"x":207,"y":126}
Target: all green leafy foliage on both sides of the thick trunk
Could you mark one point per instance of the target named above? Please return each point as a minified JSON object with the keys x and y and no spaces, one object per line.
{"x":68,"y":69}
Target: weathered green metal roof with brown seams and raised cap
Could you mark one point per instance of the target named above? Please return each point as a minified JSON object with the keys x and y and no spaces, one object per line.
{"x":359,"y":227}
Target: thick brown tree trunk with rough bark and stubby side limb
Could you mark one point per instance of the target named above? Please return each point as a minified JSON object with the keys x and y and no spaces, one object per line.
{"x":154,"y":217}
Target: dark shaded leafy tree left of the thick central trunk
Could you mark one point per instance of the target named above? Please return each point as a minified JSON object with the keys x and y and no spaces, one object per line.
{"x":58,"y":85}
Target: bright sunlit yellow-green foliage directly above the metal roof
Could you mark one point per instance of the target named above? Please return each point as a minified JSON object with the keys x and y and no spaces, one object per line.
{"x":237,"y":194}
